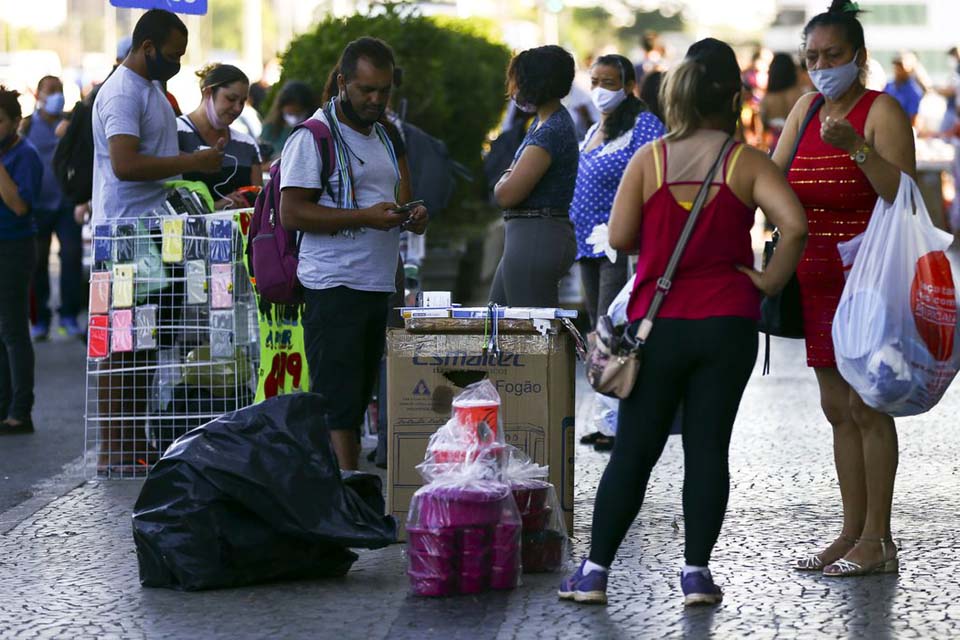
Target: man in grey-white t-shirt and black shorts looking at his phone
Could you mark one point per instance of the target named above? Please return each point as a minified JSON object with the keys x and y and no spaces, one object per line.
{"x":351,"y":238}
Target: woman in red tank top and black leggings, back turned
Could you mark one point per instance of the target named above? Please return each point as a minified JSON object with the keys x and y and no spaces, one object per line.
{"x":703,"y":345}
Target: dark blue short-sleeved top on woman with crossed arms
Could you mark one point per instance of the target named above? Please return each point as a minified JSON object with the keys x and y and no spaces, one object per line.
{"x":558,"y":136}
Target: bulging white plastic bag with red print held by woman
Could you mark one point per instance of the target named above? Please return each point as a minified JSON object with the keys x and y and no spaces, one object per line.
{"x":895,"y":327}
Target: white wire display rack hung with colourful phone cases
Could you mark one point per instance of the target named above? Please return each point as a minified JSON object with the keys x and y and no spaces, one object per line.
{"x":172,"y":338}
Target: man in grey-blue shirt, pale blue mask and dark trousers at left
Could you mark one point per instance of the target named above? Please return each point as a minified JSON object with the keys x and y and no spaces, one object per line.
{"x":53,"y":214}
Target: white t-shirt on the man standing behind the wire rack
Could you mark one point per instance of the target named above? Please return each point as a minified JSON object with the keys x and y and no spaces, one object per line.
{"x":129,"y":104}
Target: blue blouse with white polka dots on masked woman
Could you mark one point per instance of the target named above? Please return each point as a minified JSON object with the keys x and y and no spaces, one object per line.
{"x":599,"y":176}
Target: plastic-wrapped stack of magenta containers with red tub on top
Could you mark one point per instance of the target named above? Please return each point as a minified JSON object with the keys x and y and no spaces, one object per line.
{"x":464,"y":527}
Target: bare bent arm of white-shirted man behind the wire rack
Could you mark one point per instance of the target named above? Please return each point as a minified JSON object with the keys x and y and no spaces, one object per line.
{"x":131,"y":165}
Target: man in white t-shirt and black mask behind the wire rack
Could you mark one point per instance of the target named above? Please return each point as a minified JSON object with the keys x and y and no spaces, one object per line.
{"x":135,"y":152}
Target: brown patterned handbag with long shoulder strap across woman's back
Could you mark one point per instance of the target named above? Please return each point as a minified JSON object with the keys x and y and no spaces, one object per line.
{"x":614,"y":356}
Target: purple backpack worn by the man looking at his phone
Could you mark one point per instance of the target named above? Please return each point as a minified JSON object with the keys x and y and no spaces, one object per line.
{"x":273,"y":252}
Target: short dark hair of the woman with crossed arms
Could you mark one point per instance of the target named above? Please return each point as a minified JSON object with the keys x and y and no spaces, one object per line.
{"x":541,"y":74}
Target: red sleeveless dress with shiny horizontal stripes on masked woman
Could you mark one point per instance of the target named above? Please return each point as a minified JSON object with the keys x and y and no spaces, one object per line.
{"x":838,"y":200}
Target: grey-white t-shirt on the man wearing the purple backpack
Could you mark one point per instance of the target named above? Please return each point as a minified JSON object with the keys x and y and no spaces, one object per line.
{"x":363,"y":259}
